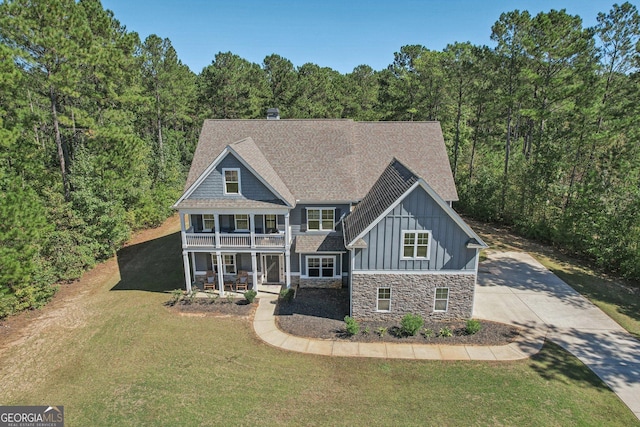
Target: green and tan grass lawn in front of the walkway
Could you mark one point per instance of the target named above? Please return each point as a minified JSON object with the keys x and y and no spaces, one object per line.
{"x":114,"y":355}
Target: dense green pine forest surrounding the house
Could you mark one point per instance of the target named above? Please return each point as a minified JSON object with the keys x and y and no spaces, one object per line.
{"x":98,"y":128}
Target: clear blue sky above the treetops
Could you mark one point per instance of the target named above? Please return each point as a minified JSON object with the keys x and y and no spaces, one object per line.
{"x":330,"y":33}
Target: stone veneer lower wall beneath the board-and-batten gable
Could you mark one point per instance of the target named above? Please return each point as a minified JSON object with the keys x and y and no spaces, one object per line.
{"x":412,"y":293}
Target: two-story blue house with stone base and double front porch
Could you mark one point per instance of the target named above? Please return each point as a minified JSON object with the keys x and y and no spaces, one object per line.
{"x":331,"y":203}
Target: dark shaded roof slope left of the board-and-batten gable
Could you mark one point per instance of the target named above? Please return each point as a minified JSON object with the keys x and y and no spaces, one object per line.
{"x":392,"y":183}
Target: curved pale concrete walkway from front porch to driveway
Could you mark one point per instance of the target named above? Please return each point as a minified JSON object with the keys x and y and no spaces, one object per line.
{"x":264,"y":324}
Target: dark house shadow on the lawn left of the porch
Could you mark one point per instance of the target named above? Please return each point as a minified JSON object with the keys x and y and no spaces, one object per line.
{"x":152,"y":266}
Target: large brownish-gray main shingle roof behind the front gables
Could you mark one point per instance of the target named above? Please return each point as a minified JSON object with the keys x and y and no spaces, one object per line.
{"x":332,"y":160}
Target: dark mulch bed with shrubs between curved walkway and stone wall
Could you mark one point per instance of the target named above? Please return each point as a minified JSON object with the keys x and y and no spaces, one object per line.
{"x":319,"y":313}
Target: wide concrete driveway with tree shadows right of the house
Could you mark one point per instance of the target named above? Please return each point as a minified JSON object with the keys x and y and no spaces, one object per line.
{"x":515,"y":288}
